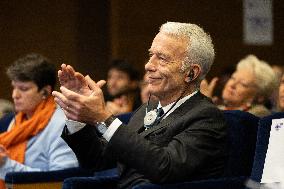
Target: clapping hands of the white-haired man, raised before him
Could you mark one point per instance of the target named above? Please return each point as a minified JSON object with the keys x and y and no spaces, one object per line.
{"x":81,"y":98}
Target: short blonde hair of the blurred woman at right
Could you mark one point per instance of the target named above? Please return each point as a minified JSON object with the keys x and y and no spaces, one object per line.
{"x":265,"y":77}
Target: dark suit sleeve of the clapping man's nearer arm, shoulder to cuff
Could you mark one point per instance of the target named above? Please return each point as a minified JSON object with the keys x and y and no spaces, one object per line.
{"x":199,"y":141}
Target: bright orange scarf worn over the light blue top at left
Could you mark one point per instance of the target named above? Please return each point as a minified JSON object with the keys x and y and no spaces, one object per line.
{"x":15,"y":140}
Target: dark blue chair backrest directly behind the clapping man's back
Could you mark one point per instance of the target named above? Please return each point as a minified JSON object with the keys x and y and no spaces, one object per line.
{"x":242,"y":140}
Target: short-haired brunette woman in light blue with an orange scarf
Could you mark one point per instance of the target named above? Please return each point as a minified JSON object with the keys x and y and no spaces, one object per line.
{"x":32,"y":141}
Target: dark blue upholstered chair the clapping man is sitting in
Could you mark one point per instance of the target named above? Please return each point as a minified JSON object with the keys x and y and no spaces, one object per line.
{"x":242,"y":138}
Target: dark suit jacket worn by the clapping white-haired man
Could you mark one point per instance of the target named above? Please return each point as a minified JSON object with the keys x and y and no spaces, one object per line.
{"x":187,"y":145}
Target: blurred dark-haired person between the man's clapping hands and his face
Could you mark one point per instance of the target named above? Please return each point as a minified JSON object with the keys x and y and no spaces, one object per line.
{"x":123,"y":93}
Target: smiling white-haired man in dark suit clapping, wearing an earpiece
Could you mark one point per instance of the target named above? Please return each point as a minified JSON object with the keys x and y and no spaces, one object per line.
{"x":180,"y":137}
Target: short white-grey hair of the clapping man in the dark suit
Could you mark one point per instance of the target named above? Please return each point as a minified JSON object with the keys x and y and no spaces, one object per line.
{"x":200,"y":49}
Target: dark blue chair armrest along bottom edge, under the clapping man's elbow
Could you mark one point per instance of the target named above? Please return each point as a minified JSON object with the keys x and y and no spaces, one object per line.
{"x":220,"y":183}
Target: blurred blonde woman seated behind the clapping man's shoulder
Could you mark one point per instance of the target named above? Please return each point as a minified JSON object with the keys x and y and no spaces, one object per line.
{"x":248,"y":88}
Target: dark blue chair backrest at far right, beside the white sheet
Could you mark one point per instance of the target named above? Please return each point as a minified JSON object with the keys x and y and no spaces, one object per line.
{"x":263,"y":134}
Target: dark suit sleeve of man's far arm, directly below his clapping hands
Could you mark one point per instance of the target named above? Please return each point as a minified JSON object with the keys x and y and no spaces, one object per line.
{"x":90,"y":149}
